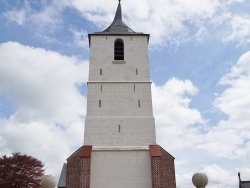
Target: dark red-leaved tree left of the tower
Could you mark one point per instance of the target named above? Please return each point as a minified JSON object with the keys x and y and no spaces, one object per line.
{"x":20,"y":171}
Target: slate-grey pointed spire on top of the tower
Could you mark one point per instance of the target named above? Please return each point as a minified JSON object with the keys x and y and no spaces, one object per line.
{"x":118,"y":26}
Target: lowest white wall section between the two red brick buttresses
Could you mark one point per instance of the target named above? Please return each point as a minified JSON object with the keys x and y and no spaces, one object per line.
{"x":123,"y":169}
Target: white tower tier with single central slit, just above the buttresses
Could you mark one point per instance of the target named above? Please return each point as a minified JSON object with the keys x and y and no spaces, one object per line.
{"x":133,"y":131}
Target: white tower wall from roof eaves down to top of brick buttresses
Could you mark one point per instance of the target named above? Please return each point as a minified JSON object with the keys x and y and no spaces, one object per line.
{"x":119,"y":107}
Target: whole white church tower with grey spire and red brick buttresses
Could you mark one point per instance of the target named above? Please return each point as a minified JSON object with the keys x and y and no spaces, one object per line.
{"x":119,"y":148}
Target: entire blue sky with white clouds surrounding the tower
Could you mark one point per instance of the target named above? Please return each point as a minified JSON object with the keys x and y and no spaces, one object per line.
{"x":199,"y":55}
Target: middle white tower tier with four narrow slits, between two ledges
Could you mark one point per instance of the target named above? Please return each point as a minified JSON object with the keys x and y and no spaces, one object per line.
{"x":119,"y":99}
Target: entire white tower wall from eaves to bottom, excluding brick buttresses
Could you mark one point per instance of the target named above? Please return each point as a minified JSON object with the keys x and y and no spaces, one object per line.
{"x":119,"y":121}
